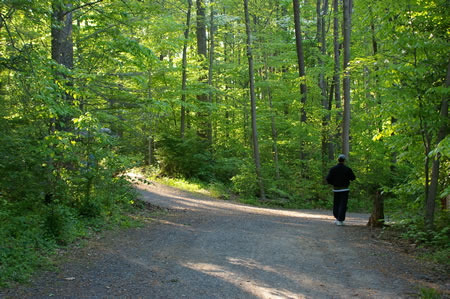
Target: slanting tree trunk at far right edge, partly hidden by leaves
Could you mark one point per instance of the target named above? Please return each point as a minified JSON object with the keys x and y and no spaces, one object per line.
{"x":443,"y":131}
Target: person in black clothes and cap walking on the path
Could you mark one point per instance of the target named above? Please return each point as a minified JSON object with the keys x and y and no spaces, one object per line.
{"x":340,"y":176}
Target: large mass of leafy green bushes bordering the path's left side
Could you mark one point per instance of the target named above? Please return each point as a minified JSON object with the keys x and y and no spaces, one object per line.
{"x":69,"y":183}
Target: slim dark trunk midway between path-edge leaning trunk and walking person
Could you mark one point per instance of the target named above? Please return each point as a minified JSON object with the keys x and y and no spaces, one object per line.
{"x":301,"y":66}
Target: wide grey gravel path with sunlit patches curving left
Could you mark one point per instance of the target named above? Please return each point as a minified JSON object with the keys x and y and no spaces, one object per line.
{"x":207,"y":248}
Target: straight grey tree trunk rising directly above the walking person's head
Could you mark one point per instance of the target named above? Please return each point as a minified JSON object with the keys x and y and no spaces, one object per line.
{"x":346,"y":83}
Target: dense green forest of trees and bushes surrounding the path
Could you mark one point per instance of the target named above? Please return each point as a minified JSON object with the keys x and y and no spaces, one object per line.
{"x":257,"y":98}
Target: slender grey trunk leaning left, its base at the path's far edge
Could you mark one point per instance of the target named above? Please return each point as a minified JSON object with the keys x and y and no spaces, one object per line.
{"x":253,"y":103}
